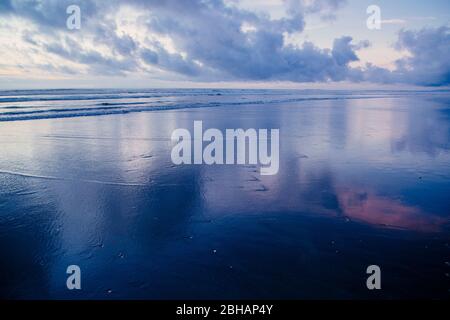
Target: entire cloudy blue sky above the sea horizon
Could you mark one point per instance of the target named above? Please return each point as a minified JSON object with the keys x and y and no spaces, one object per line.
{"x":224,"y":43}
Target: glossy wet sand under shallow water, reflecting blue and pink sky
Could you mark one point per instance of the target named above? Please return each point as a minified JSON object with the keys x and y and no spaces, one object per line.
{"x":361,"y":182}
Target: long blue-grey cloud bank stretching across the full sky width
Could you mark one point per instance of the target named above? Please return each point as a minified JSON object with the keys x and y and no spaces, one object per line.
{"x":216,"y":41}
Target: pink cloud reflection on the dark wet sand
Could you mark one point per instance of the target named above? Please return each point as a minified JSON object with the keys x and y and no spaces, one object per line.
{"x":368,"y":207}
